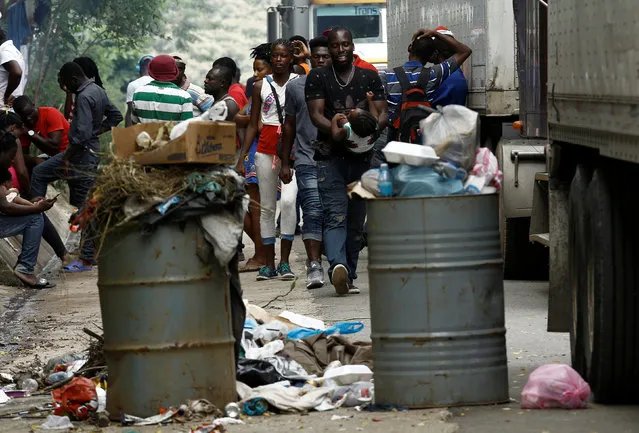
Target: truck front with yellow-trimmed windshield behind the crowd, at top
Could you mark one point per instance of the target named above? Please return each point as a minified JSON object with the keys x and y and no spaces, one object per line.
{"x":309,"y":18}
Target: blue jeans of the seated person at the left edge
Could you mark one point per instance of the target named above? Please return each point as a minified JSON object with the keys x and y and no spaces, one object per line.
{"x":30,"y":227}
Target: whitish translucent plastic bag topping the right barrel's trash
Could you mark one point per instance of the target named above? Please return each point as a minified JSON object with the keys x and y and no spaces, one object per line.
{"x":453,"y":132}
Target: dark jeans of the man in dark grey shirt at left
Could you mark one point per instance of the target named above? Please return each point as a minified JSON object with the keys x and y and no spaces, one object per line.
{"x":80,"y":178}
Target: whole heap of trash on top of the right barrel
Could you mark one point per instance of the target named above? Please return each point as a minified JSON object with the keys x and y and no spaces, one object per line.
{"x":449,"y":161}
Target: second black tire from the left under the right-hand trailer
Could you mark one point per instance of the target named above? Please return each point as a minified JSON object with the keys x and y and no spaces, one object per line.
{"x":600,"y":339}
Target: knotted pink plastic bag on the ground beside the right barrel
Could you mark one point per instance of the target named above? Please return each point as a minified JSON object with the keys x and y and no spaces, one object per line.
{"x":555,"y":386}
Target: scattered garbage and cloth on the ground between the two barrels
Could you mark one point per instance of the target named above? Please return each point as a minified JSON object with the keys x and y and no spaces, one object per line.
{"x":294,"y":363}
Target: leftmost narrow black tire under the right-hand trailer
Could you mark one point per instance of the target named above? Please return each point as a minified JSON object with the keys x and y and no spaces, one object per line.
{"x":577,"y":247}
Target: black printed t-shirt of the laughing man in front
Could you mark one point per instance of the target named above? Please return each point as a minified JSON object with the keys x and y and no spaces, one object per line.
{"x":321,"y":84}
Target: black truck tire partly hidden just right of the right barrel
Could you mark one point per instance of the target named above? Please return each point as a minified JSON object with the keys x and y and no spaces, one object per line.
{"x":523,"y":260}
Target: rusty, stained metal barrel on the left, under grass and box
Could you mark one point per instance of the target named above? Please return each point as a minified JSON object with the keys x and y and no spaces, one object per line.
{"x":167,"y":320}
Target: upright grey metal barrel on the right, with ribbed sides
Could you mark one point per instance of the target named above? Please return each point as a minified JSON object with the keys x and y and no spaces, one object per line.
{"x":437,"y":301}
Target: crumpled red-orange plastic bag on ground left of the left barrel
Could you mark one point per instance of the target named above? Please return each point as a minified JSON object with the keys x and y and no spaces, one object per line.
{"x":78,"y":399}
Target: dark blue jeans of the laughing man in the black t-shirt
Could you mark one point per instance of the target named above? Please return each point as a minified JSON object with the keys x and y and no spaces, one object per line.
{"x":343,"y":218}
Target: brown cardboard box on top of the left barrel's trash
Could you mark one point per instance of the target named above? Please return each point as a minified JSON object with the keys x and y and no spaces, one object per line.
{"x":203,"y":143}
